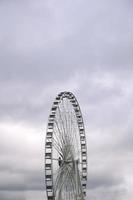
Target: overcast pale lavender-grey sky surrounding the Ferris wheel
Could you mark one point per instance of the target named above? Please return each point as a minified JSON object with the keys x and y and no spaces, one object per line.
{"x":82,"y":46}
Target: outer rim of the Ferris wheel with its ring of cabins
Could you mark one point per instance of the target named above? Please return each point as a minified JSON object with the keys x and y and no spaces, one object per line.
{"x":49,"y":148}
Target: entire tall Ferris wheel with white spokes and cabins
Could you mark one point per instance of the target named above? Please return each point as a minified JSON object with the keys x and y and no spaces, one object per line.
{"x":65,"y":150}
